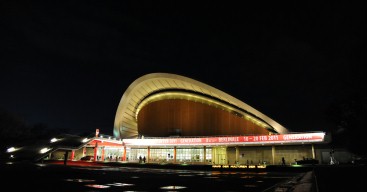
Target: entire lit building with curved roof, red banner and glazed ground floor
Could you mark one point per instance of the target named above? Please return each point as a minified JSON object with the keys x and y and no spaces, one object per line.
{"x":171,"y":118}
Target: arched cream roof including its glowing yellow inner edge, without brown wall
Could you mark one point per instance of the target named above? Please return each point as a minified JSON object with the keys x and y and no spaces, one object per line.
{"x":159,"y":86}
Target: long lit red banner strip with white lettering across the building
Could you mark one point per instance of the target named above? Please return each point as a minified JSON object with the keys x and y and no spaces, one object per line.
{"x":258,"y":139}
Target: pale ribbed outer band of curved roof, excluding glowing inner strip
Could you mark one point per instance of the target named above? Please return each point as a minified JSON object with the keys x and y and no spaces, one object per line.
{"x":125,"y":125}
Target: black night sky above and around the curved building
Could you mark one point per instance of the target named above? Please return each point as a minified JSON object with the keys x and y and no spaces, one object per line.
{"x":67,"y":65}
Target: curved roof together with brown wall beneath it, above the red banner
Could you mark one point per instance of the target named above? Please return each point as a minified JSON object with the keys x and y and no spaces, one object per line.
{"x":163,"y":104}
